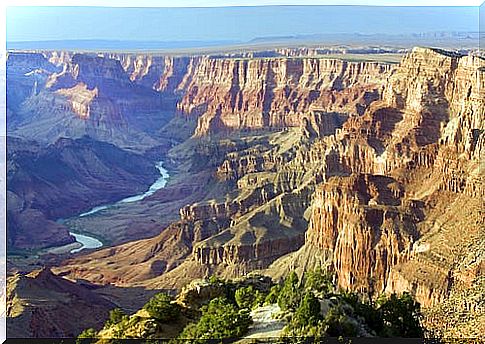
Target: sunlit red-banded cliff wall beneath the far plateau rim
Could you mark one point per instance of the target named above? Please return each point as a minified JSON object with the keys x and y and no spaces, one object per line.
{"x":275,"y":93}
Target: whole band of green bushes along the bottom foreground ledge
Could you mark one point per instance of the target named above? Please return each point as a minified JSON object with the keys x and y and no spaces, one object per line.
{"x":220,"y":309}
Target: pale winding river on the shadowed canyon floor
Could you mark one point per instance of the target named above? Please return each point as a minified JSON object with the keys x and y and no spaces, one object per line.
{"x":90,"y":242}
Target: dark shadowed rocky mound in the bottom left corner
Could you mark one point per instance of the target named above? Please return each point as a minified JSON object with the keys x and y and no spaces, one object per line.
{"x":44,"y":305}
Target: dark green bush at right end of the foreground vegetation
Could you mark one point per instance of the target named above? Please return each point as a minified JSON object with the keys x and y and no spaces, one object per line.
{"x":401,"y":316}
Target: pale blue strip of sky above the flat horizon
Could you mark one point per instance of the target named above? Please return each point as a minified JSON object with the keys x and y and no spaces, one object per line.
{"x":31,"y":23}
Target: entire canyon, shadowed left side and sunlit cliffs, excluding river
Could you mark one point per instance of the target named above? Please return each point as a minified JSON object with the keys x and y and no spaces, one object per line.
{"x":370,"y":170}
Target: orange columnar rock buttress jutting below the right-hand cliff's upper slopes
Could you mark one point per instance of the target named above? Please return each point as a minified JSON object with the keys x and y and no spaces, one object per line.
{"x":362,"y":224}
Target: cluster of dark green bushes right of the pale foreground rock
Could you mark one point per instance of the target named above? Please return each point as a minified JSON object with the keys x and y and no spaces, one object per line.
{"x":345,"y":313}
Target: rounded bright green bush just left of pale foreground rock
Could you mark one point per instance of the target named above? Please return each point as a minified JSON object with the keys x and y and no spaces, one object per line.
{"x":220,"y":319}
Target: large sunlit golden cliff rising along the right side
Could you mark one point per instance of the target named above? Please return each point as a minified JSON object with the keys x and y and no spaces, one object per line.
{"x":412,"y":163}
